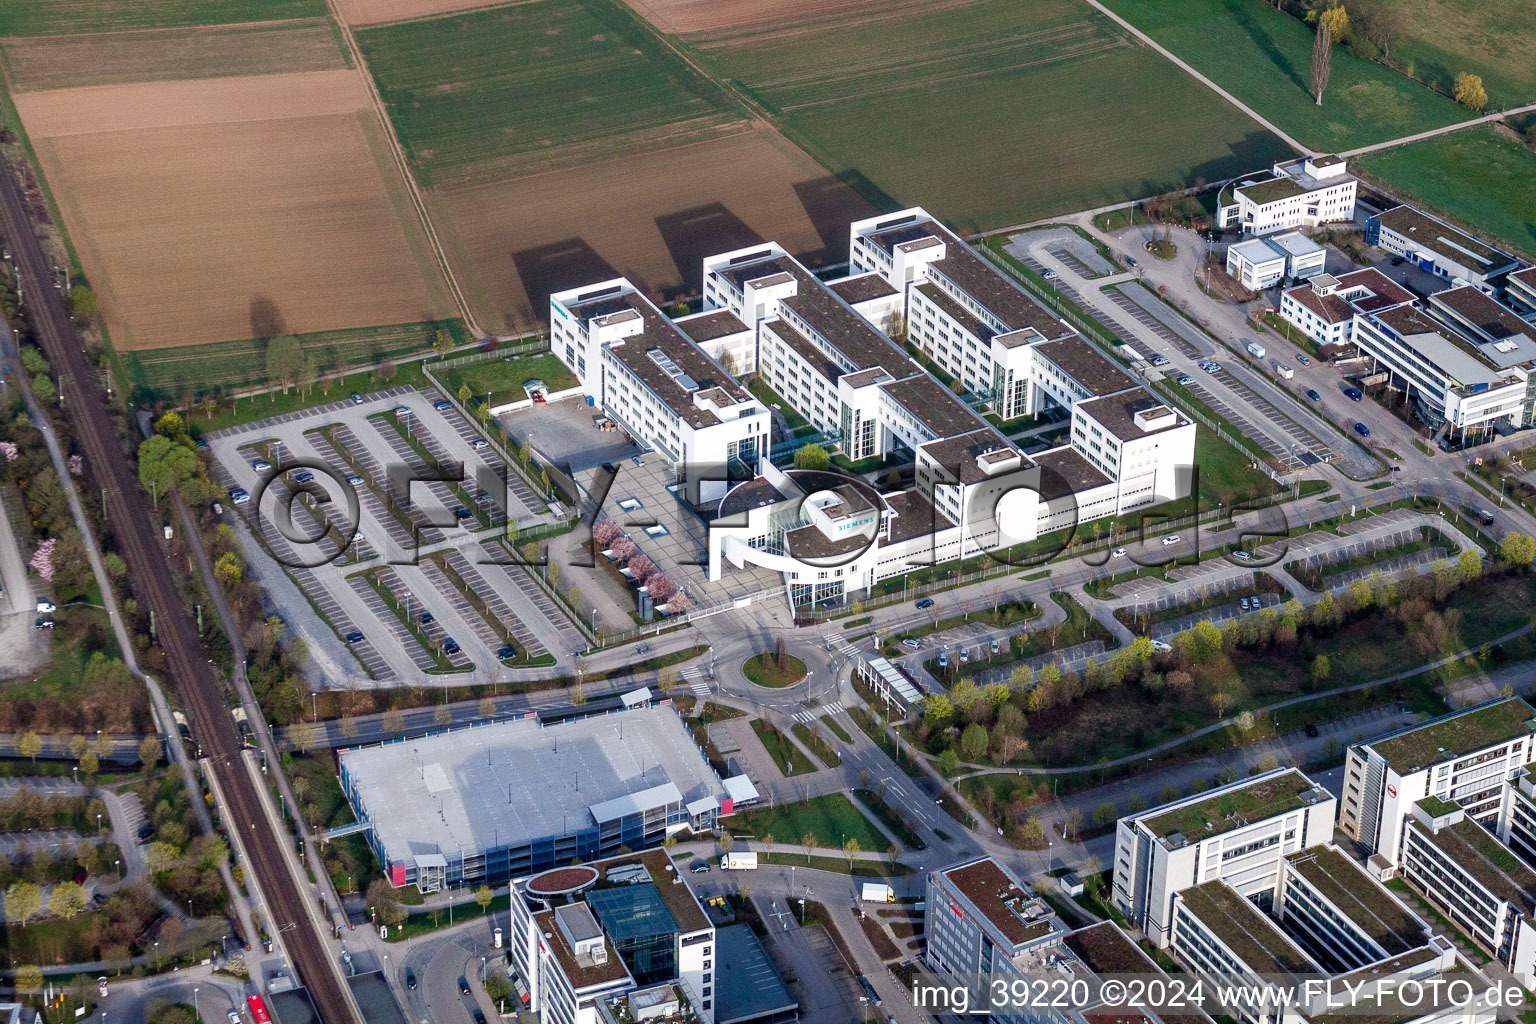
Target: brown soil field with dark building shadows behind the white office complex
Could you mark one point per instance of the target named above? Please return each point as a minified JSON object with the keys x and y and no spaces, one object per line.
{"x":650,"y":217}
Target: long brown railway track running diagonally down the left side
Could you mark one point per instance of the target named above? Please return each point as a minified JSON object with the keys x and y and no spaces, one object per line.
{"x":194,"y":678}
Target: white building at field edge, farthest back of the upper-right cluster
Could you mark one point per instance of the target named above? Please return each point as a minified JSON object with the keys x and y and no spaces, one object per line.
{"x":1305,"y":193}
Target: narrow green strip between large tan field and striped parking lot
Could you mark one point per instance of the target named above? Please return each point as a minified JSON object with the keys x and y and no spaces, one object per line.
{"x":231,"y":365}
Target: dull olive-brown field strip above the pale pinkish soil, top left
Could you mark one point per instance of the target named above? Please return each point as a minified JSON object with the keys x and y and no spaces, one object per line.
{"x":110,"y":59}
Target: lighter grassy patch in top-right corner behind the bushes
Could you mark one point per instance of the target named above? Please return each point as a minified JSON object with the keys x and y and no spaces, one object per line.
{"x":1495,"y":39}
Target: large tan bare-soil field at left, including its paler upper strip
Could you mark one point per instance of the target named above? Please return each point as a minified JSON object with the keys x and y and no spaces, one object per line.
{"x":190,"y":225}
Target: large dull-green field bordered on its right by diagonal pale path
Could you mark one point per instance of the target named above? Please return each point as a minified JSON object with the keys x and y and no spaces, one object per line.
{"x":1008,"y":113}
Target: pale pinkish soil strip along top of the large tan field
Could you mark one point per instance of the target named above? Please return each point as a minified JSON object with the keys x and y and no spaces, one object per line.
{"x":150,"y":105}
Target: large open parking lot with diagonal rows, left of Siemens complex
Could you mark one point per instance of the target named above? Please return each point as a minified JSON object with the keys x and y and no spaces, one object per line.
{"x":406,"y":570}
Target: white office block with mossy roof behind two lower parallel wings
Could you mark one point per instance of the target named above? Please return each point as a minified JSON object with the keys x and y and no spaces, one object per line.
{"x":1239,"y":834}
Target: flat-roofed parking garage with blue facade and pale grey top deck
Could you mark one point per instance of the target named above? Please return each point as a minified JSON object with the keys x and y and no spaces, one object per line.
{"x":494,"y":801}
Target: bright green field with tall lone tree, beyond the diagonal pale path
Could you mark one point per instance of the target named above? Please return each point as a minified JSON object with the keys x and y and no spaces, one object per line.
{"x":1265,"y":59}
